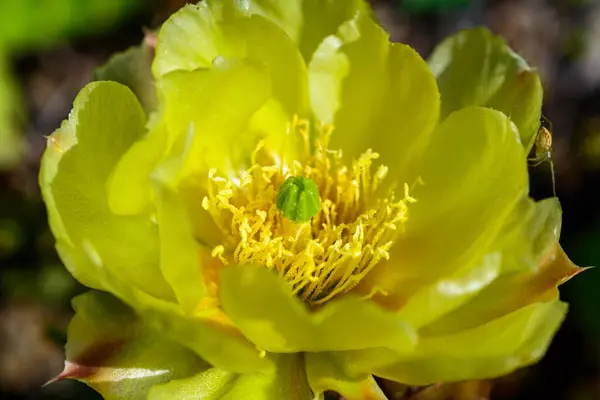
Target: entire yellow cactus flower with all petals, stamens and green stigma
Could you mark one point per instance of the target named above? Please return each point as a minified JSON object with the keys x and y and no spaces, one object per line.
{"x":279,"y":202}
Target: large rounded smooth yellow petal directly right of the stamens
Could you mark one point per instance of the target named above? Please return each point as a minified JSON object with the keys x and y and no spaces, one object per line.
{"x":474,"y":173}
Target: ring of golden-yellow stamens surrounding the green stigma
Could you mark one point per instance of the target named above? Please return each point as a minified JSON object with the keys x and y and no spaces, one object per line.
{"x":326,"y":255}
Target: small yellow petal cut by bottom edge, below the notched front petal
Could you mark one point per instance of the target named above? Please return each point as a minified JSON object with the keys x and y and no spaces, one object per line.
{"x":324,"y":373}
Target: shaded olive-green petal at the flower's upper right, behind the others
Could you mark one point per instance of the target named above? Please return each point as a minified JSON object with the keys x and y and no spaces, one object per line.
{"x":477,"y":68}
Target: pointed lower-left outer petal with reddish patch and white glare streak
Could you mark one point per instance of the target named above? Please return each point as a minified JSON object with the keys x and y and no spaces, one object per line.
{"x":111,"y":350}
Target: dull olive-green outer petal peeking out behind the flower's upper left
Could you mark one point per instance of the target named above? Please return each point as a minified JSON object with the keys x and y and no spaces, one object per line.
{"x":132,"y":68}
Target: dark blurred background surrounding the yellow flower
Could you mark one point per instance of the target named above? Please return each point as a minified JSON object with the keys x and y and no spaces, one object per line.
{"x":49,"y":50}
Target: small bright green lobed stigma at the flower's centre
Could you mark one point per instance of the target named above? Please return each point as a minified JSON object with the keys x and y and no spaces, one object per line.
{"x":298,"y":199}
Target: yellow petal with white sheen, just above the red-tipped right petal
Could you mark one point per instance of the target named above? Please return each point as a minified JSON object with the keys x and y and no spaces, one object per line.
{"x":531,"y":230}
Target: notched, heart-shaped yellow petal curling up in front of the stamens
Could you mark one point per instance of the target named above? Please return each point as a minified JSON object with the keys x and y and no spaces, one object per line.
{"x":264,"y":308}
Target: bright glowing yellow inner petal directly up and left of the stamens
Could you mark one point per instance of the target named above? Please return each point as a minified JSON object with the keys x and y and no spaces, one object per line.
{"x":208,"y":111}
